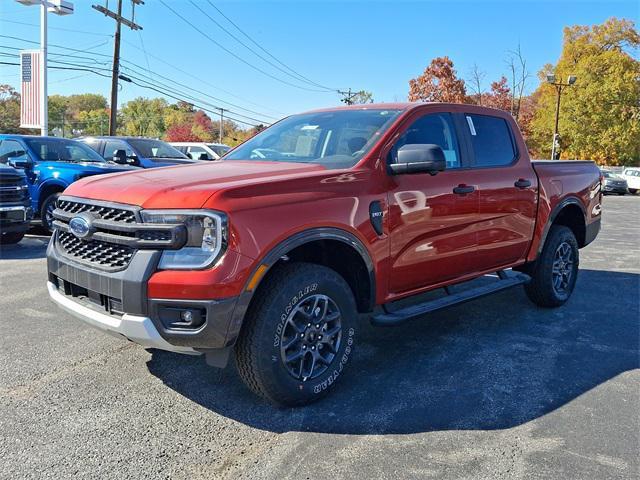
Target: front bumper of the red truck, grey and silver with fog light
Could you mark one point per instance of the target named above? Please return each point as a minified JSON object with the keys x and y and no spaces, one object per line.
{"x":117,"y":302}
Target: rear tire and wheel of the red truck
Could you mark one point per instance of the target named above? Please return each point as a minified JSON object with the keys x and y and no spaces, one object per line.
{"x":554,"y":274}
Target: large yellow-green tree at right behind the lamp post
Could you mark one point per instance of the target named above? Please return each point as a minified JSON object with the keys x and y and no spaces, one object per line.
{"x":600,"y":114}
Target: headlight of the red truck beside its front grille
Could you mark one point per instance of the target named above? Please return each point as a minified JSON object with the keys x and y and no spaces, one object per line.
{"x":206,"y":237}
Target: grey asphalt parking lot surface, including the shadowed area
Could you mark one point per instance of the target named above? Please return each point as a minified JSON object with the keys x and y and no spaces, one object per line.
{"x":496,"y":388}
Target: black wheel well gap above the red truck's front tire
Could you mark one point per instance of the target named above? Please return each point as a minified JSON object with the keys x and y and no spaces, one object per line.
{"x":342,"y":258}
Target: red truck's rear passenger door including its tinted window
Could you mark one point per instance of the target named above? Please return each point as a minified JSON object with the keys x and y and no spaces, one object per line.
{"x":507,"y":187}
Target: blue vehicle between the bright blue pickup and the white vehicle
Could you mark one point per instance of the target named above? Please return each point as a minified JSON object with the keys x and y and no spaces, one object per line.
{"x":137,"y":151}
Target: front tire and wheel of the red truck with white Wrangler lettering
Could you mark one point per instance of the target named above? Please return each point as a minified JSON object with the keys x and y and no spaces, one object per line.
{"x":284,"y":314}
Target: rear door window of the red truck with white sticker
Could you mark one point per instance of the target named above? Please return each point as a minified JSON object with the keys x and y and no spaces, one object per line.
{"x":492,"y":141}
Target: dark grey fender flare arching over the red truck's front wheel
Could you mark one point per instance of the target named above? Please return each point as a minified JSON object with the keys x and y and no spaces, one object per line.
{"x":281,"y":249}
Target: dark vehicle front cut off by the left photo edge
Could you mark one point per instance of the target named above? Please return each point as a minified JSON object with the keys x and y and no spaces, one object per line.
{"x":15,"y":205}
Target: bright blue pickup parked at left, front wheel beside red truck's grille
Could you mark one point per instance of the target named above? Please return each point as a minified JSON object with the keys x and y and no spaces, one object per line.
{"x":51,"y":164}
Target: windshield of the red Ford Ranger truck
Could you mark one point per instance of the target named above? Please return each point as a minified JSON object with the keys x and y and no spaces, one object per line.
{"x":334,"y":139}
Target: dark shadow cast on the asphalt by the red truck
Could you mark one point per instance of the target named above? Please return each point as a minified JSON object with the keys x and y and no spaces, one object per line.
{"x":494,"y":363}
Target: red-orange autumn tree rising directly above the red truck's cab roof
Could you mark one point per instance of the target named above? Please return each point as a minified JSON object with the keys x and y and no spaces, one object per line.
{"x":438,"y":83}
